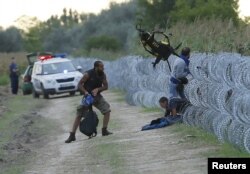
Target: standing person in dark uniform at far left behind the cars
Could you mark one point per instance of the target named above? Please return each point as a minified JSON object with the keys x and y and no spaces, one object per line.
{"x":13,"y":72}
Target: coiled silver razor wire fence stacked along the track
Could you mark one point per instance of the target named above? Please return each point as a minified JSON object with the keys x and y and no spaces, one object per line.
{"x":218,"y":90}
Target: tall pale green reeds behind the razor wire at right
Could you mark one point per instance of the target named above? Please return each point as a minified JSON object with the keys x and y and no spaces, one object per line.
{"x":212,"y":35}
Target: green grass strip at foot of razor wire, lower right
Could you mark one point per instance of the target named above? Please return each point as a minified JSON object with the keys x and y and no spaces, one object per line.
{"x":200,"y":137}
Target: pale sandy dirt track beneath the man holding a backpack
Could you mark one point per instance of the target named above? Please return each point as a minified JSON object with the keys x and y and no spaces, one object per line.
{"x":128,"y":150}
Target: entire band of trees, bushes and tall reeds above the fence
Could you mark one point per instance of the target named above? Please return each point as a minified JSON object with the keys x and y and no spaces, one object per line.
{"x":204,"y":25}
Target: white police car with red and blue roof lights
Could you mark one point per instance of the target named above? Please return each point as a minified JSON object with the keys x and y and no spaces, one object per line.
{"x":54,"y":75}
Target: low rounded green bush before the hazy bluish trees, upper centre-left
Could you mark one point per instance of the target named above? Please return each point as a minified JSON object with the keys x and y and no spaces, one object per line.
{"x":103,"y":42}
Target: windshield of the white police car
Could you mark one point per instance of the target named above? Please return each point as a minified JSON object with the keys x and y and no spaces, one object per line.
{"x":55,"y":68}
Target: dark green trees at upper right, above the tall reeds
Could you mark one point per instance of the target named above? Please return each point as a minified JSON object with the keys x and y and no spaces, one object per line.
{"x":164,"y":13}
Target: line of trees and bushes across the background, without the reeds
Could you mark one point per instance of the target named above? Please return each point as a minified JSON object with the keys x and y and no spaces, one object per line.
{"x":112,"y":29}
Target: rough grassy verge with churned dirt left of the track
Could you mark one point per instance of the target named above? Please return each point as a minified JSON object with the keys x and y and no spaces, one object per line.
{"x":22,"y":130}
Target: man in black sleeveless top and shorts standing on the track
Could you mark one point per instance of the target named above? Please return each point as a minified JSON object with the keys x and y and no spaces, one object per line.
{"x":93,"y":82}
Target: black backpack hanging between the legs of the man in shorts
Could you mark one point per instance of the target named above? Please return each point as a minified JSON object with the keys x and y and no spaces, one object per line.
{"x":89,"y":123}
